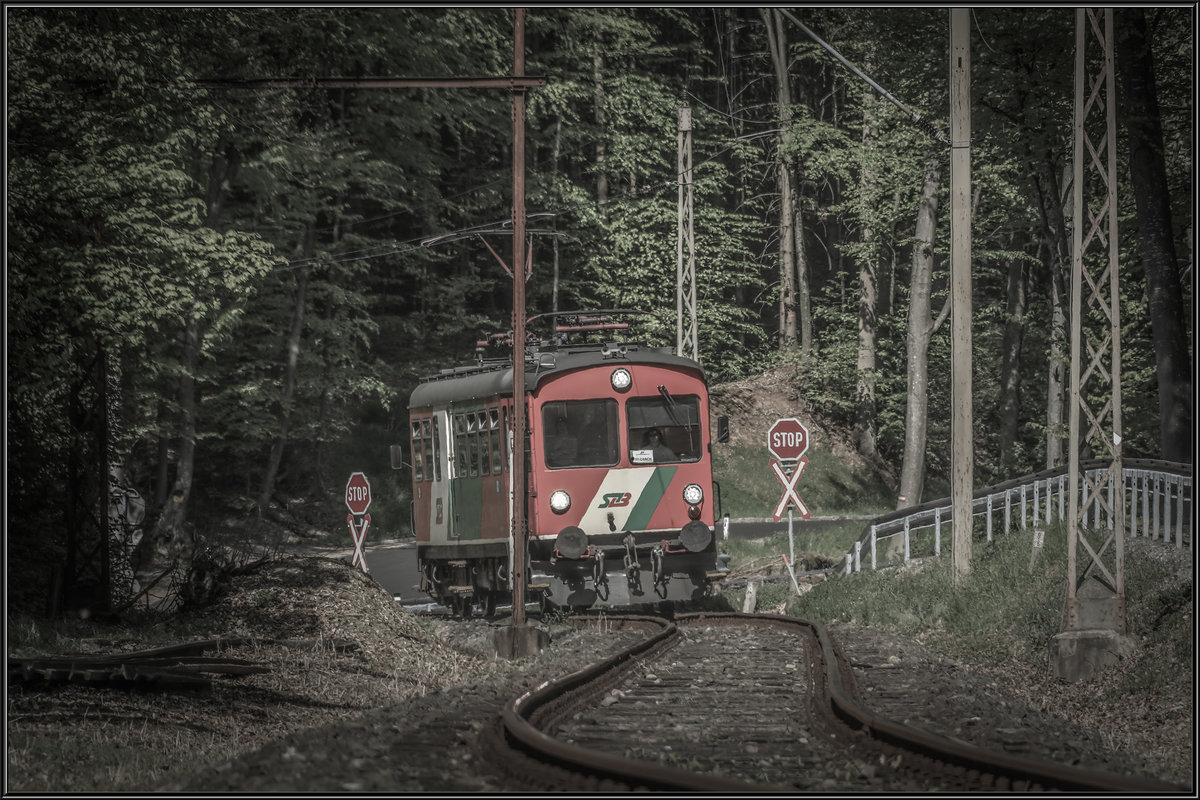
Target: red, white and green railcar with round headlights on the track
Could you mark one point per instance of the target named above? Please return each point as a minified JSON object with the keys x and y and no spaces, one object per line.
{"x":620,"y":502}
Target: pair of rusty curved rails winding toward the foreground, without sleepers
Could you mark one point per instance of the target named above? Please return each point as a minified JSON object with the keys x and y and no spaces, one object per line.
{"x":525,"y":720}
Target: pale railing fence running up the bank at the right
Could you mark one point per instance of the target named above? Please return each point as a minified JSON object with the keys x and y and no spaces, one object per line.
{"x":1157,"y":498}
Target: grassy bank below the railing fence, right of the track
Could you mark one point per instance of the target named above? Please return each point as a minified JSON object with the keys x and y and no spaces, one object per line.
{"x":1001,"y":619}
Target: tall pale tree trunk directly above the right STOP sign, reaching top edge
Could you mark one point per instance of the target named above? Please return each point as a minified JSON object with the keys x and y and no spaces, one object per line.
{"x":777,"y":44}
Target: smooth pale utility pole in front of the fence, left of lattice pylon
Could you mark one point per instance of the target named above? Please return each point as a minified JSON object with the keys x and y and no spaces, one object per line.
{"x":963,"y":453}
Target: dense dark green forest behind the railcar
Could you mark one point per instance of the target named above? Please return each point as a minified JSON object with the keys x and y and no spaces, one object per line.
{"x":227,"y":296}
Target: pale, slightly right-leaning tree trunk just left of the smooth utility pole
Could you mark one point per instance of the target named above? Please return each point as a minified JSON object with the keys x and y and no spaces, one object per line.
{"x":913,"y":474}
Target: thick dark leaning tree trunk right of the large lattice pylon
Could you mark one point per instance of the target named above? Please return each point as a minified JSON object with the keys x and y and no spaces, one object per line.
{"x":1151,"y":193}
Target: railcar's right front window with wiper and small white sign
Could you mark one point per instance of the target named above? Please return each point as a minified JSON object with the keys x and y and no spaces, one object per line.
{"x":664,"y":429}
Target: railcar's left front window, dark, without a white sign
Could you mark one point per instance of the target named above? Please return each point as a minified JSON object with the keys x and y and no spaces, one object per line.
{"x":580,"y":434}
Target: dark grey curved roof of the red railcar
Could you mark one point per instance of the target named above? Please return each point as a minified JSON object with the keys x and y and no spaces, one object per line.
{"x":490,"y":380}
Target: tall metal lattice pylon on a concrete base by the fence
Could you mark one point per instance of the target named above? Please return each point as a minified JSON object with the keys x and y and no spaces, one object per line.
{"x":1096,"y":579}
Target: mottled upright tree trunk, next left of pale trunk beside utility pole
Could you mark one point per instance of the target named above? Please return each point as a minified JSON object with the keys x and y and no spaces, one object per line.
{"x":868,"y":267}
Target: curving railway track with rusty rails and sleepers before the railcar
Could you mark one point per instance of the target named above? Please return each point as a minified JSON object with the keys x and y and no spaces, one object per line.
{"x":737,"y":703}
